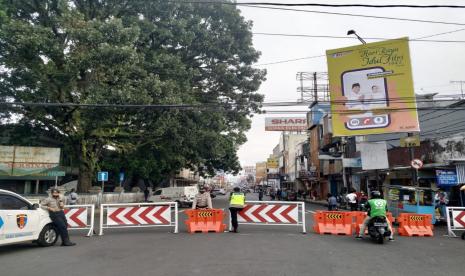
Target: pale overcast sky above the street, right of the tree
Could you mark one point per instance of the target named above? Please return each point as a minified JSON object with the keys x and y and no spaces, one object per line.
{"x":434,"y":65}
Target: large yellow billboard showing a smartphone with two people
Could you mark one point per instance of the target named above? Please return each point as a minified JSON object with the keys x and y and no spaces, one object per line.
{"x":371,"y":89}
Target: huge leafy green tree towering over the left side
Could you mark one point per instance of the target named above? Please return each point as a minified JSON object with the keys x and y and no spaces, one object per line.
{"x":132,"y":52}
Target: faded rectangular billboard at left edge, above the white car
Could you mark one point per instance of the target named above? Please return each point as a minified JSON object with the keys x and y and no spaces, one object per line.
{"x":27,"y":161}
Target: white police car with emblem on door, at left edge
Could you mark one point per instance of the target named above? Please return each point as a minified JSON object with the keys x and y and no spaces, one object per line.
{"x":22,"y":221}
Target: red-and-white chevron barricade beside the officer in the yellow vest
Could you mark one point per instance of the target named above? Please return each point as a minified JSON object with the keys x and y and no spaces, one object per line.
{"x":272,"y":213}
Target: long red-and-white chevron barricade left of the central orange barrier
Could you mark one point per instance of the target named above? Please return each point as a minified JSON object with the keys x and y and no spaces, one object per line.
{"x":131,"y":215}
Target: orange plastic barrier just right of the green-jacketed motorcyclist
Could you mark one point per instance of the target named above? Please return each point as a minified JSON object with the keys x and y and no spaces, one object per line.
{"x":415,"y":225}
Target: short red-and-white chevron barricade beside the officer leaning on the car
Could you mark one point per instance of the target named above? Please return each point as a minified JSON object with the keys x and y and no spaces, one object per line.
{"x":80,"y":217}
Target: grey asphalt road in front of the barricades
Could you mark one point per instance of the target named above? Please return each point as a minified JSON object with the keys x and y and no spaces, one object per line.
{"x":256,"y":250}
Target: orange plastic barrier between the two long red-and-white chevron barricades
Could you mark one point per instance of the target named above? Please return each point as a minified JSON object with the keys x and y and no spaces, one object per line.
{"x":205,"y":221}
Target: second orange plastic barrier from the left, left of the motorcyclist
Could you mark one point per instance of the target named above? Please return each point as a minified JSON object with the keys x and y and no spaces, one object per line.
{"x":333,"y":222}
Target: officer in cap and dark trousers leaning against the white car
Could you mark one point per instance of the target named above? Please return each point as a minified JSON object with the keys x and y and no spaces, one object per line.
{"x":54,"y":204}
